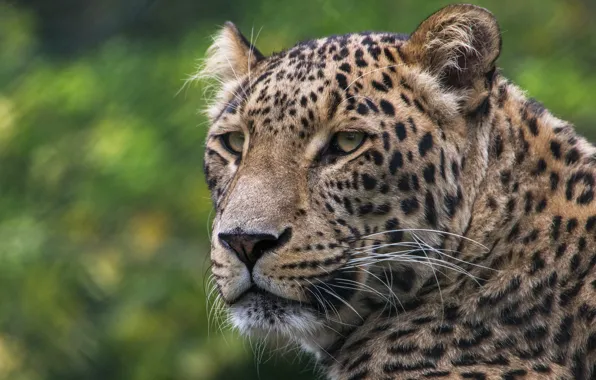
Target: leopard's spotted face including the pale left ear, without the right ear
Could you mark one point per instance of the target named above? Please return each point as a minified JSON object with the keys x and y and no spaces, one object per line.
{"x":316,"y":157}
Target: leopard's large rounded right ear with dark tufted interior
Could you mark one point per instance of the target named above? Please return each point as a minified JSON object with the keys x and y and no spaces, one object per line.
{"x":459,"y":43}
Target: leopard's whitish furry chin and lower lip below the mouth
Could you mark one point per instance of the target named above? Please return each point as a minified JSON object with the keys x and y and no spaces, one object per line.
{"x":264,"y":315}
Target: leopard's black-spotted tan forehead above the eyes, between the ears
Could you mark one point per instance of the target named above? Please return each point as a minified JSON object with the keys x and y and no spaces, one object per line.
{"x":296,"y":89}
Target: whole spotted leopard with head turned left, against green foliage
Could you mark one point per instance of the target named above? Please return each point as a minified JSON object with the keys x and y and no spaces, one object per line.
{"x":395,"y":206}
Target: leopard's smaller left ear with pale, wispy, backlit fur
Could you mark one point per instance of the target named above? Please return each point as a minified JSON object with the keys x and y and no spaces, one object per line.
{"x":231,"y":55}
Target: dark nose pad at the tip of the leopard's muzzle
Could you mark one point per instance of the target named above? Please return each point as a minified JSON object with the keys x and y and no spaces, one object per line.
{"x":250,"y":246}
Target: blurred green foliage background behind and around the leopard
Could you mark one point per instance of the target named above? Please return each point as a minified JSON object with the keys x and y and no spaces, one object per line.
{"x":104,"y":214}
